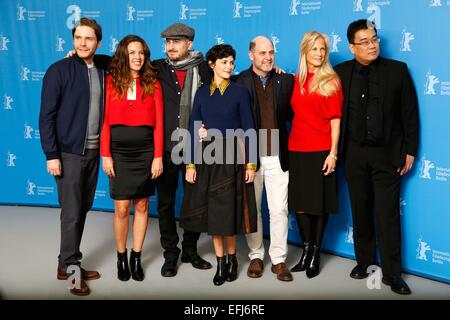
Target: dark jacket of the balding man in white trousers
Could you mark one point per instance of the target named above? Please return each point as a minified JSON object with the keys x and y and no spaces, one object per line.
{"x":283,"y":85}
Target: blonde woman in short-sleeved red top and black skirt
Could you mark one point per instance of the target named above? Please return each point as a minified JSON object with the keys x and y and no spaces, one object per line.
{"x":313,"y":142}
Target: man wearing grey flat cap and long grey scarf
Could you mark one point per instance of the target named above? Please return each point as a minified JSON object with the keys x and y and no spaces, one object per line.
{"x":181,"y":73}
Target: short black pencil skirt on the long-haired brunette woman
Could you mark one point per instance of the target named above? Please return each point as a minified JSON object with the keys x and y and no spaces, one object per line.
{"x":132,"y":153}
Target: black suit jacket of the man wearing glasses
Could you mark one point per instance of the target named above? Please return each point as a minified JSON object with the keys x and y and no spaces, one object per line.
{"x":398,"y":99}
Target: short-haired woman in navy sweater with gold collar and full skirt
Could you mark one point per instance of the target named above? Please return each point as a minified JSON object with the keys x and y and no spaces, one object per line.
{"x":219,"y":196}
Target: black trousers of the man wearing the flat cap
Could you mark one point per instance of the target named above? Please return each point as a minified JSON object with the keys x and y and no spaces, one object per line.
{"x":166,"y":187}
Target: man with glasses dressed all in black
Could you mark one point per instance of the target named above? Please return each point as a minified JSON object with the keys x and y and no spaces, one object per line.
{"x":379,"y":139}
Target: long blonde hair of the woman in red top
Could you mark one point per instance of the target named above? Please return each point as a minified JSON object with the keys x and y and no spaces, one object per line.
{"x":325,"y":80}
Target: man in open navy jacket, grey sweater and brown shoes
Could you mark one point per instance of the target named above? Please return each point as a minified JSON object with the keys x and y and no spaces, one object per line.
{"x":70,"y":119}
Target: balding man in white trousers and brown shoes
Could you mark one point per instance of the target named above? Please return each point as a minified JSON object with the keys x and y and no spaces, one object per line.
{"x":271,"y":95}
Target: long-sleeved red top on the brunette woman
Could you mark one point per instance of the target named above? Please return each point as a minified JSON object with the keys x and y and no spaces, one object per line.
{"x":147,"y":112}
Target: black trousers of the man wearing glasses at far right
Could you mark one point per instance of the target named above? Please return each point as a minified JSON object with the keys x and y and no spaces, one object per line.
{"x":374,"y":188}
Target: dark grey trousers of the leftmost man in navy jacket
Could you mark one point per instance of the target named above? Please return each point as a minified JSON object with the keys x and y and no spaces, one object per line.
{"x":76,"y":191}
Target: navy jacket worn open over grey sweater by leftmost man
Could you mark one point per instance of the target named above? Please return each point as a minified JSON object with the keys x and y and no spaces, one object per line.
{"x":63,"y":117}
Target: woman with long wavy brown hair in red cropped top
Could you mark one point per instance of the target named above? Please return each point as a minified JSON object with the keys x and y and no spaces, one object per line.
{"x":131,"y":145}
